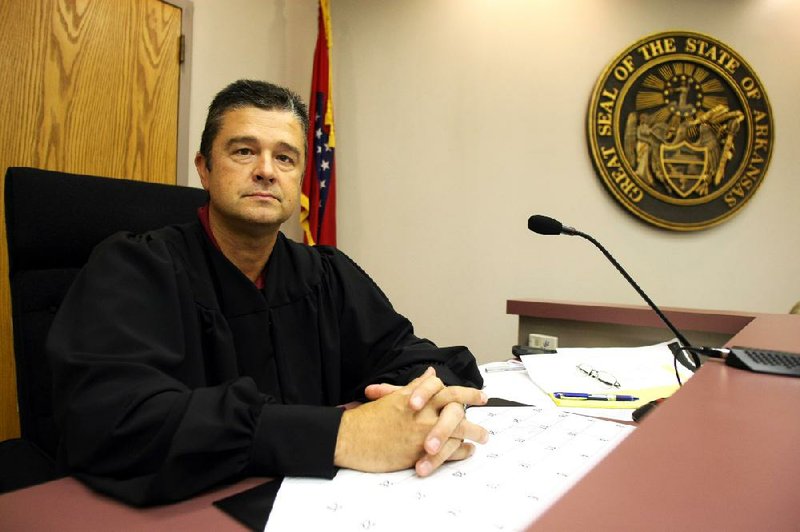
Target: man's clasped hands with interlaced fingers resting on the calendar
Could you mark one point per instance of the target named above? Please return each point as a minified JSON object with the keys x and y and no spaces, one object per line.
{"x":394,"y":433}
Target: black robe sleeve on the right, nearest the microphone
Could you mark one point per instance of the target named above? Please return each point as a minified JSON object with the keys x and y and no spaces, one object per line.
{"x":379,"y":344}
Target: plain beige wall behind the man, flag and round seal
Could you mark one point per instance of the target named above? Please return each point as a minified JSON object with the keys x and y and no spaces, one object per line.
{"x":457,"y":119}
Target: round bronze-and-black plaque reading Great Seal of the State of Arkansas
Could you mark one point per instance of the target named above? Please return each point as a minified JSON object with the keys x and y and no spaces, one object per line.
{"x":680,"y":130}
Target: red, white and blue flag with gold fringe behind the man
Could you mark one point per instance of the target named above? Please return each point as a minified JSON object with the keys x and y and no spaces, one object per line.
{"x":318,"y":199}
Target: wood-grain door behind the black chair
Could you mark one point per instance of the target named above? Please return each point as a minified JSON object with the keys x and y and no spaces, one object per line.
{"x":86,"y":86}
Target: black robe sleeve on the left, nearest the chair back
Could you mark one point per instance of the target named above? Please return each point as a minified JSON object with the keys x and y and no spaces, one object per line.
{"x":140,"y":416}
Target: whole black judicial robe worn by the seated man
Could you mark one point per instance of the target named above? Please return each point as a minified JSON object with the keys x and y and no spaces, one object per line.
{"x":173,"y":372}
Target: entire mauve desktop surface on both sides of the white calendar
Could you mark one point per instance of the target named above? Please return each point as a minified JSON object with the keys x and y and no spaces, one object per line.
{"x":721,"y":454}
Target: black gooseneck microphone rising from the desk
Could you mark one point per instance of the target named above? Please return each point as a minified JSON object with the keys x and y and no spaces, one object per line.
{"x":544,"y":225}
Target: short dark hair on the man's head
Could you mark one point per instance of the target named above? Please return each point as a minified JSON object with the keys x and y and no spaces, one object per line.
{"x":250,"y":93}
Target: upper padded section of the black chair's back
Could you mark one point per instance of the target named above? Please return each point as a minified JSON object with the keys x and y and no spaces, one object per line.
{"x":55,"y":219}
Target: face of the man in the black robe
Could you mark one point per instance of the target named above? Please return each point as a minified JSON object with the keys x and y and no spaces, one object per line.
{"x":257,"y":163}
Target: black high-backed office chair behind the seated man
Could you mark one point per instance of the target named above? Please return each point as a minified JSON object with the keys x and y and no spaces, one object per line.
{"x":53,"y":221}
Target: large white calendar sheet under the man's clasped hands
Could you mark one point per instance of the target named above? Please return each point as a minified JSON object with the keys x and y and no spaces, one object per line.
{"x":533,"y":456}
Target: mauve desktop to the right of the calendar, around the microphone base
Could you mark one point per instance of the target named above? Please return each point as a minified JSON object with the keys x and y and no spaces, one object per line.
{"x":721,"y":454}
